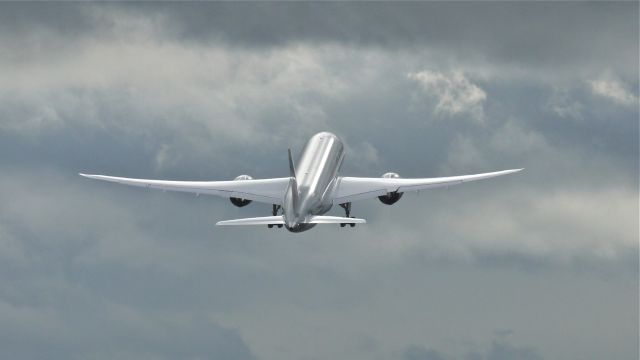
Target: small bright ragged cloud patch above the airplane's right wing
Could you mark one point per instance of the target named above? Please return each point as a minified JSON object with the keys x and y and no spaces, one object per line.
{"x":454,"y":93}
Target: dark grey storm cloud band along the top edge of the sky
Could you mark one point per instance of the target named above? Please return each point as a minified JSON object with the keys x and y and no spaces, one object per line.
{"x":528,"y":32}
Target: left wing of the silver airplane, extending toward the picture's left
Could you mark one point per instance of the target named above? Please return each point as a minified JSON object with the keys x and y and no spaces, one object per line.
{"x":270,"y":191}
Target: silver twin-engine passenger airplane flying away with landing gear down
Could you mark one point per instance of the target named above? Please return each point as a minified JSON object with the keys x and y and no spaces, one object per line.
{"x":310,"y":190}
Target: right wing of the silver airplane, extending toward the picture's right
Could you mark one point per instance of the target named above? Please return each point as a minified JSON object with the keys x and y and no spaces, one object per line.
{"x":350,"y":189}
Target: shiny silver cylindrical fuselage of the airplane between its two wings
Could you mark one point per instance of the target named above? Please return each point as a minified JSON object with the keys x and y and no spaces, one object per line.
{"x":315,"y":176}
